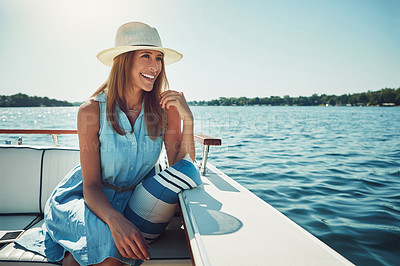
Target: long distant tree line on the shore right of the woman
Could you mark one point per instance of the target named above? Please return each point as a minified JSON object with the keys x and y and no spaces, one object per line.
{"x":383,"y":97}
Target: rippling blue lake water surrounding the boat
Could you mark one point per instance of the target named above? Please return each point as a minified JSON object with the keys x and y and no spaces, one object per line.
{"x":333,"y":170}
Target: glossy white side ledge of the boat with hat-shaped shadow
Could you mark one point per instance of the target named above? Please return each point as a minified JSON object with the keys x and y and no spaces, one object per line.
{"x":229,"y":225}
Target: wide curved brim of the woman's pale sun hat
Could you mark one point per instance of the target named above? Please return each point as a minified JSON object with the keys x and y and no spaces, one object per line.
{"x":107,"y":56}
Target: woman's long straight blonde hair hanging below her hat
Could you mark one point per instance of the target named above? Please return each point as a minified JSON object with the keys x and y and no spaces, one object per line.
{"x":118,"y":81}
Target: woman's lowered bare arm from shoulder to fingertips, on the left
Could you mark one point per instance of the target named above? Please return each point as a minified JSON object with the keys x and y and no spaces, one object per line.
{"x":127,"y":237}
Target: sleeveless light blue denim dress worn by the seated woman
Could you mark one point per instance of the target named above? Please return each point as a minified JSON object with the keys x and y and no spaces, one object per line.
{"x":69,"y":224}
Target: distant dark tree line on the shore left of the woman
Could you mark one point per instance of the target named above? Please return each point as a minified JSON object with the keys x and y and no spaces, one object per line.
{"x":23,"y":100}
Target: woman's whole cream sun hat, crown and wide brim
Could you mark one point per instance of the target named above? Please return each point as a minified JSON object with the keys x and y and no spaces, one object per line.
{"x":134,"y":36}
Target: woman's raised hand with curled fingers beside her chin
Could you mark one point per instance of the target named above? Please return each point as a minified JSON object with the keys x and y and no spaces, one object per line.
{"x":173,"y":98}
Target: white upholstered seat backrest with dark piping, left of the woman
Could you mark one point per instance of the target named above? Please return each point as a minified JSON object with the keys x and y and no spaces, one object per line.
{"x":29,"y":175}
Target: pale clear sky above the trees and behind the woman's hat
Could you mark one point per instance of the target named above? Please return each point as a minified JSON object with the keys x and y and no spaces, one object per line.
{"x":231,"y":48}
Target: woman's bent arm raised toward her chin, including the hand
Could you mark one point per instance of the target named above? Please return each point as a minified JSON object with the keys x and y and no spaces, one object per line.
{"x":178,"y":143}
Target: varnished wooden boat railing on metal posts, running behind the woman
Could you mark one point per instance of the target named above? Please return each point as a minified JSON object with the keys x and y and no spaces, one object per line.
{"x":205,"y":140}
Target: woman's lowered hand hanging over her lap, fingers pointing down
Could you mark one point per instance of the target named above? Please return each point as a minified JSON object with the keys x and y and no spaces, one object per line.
{"x":128,"y":239}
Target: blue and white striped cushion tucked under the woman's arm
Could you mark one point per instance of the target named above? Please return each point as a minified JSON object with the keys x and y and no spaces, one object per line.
{"x":153,"y":202}
